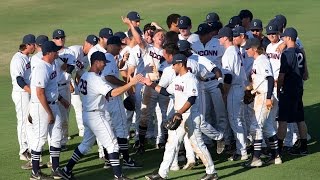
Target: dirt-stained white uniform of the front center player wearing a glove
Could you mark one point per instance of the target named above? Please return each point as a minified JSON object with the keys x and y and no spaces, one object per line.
{"x":182,"y":88}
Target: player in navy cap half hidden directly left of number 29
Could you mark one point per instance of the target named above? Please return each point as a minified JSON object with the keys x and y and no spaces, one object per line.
{"x":82,"y":63}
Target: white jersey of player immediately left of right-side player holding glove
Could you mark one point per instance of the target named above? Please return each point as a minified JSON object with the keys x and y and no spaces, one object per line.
{"x":232,"y":64}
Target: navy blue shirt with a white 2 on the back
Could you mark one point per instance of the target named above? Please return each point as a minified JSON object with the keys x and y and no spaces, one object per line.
{"x":293,"y":66}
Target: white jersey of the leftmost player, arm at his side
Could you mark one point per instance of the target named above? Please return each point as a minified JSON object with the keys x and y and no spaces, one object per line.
{"x":20,"y":66}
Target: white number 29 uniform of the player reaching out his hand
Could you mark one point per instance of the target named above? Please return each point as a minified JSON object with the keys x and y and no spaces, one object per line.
{"x":93,"y":89}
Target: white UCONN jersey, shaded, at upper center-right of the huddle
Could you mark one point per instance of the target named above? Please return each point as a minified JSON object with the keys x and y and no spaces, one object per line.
{"x":213,"y":51}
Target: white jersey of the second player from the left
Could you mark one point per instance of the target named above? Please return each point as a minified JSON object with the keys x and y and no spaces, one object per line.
{"x":44,"y":75}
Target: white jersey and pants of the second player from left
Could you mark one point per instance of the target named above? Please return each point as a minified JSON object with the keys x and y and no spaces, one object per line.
{"x":44,"y":75}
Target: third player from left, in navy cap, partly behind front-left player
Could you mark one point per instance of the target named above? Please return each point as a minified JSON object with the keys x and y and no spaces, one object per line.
{"x":65,"y":64}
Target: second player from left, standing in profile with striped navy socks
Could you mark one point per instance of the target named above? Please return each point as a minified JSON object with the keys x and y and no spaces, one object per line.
{"x":44,"y":110}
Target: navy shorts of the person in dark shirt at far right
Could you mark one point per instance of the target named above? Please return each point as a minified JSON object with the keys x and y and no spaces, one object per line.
{"x":291,"y":108}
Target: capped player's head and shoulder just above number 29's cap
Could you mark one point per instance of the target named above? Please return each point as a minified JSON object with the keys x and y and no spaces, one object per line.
{"x":104,"y":34}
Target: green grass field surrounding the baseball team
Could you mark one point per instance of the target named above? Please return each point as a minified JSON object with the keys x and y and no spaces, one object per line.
{"x":80,"y":18}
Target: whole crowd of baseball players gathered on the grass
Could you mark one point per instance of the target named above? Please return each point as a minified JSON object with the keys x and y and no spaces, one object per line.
{"x":230,"y":85}
